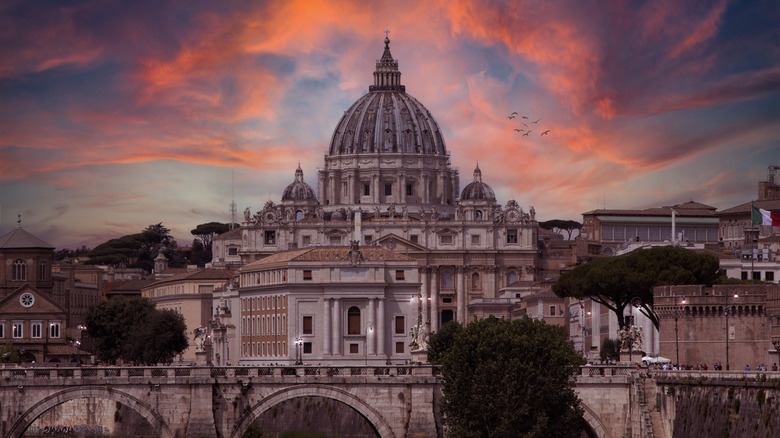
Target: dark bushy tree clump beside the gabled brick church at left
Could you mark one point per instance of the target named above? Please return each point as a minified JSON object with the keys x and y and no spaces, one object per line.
{"x":135,"y":331}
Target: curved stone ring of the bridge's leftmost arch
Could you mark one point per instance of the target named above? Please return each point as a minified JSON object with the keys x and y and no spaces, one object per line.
{"x":154,"y":419}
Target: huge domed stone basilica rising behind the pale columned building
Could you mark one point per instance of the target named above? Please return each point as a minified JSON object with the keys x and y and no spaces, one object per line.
{"x":387,"y":181}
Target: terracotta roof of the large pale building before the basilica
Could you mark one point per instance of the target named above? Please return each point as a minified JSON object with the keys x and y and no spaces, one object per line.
{"x":329,"y":253}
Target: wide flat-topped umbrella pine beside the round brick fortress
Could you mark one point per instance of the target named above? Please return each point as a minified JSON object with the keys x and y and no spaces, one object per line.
{"x":616,"y":282}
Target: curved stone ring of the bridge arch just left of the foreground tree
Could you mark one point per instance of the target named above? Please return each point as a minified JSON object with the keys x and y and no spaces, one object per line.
{"x":356,"y":403}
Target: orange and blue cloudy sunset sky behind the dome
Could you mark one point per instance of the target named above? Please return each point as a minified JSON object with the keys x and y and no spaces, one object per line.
{"x":115,"y":115}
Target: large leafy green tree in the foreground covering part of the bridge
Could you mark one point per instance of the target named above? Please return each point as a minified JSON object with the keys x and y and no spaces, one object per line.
{"x":509,"y":378}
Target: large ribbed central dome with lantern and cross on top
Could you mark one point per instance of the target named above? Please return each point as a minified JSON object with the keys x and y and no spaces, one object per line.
{"x":387,"y":120}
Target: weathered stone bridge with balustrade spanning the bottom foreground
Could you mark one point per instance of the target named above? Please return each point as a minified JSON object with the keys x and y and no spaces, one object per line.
{"x":397,"y":401}
